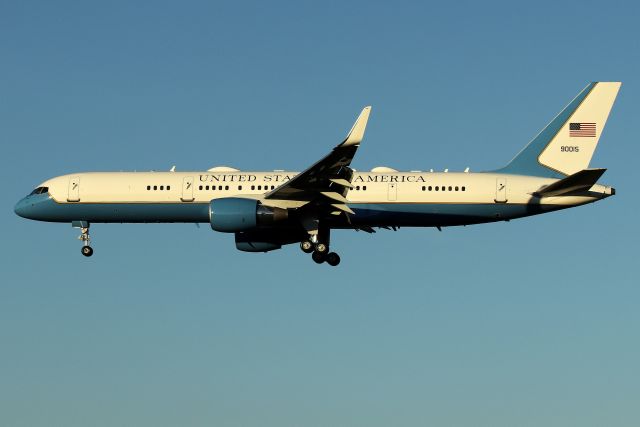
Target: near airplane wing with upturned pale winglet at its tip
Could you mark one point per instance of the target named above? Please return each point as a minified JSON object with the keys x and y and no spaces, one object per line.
{"x":329,"y":179}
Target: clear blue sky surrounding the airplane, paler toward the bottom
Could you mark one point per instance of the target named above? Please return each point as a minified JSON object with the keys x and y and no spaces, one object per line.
{"x":528,"y":323}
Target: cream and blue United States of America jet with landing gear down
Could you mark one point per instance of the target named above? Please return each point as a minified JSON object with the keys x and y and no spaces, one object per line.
{"x":266,"y":210}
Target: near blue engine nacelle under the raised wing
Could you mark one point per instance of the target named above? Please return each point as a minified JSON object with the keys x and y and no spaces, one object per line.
{"x":235,"y":214}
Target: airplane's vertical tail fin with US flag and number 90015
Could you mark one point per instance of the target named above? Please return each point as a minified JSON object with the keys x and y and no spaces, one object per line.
{"x":565,"y":146}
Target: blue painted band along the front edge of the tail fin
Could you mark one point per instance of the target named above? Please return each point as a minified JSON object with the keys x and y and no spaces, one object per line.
{"x":526,"y":162}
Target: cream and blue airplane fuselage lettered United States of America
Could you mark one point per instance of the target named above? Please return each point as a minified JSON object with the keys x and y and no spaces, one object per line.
{"x":378,"y":199}
